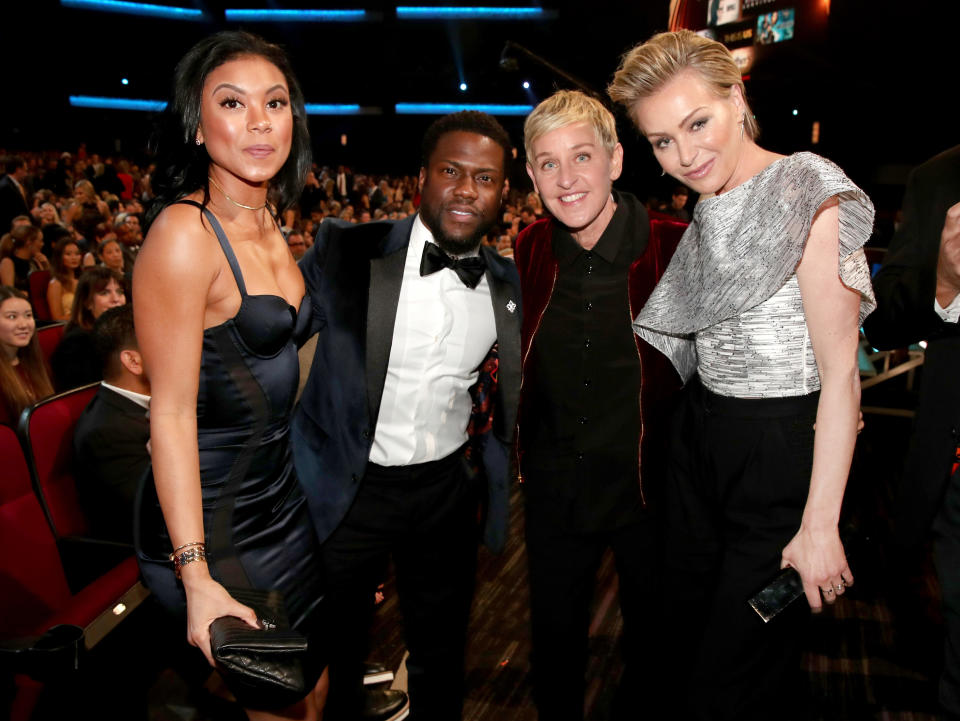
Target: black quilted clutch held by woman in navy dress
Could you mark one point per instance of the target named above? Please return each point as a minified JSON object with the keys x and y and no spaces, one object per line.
{"x":264,"y":668}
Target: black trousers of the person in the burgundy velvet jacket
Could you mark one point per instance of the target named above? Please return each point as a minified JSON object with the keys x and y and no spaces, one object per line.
{"x":563,"y":568}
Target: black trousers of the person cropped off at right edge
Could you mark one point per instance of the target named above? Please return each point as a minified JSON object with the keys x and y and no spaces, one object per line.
{"x":946,"y":556}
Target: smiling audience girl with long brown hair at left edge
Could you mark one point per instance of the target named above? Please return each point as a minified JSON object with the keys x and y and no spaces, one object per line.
{"x":23,"y":374}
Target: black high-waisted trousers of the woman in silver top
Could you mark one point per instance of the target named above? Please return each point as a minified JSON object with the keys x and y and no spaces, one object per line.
{"x":738,"y":483}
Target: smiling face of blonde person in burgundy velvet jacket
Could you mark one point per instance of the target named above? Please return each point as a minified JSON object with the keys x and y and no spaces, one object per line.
{"x":574,"y":174}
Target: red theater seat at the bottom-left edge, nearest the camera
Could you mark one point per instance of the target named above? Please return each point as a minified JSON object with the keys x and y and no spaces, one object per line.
{"x":34,"y":594}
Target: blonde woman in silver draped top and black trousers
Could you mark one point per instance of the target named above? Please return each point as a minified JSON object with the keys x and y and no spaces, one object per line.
{"x":763,"y":299}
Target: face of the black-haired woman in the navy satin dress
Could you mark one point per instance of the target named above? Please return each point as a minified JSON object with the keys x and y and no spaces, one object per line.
{"x":245,"y":118}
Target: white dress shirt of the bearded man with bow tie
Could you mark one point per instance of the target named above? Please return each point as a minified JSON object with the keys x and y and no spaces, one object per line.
{"x":443,"y":332}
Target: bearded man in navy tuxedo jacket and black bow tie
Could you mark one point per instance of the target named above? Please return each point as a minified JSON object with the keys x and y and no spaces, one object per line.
{"x":407,"y":315}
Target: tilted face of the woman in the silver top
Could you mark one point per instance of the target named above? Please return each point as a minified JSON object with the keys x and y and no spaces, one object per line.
{"x":696,"y":135}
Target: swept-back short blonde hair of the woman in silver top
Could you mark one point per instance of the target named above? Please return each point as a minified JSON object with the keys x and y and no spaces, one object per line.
{"x":651,"y":65}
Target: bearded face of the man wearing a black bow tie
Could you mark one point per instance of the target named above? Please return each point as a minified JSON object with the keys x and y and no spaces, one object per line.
{"x":461,"y":189}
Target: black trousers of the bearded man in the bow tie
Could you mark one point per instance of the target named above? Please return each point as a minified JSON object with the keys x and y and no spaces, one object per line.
{"x":425,"y":516}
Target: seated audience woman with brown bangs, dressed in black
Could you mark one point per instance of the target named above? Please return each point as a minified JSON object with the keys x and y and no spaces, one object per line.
{"x":75,"y":362}
